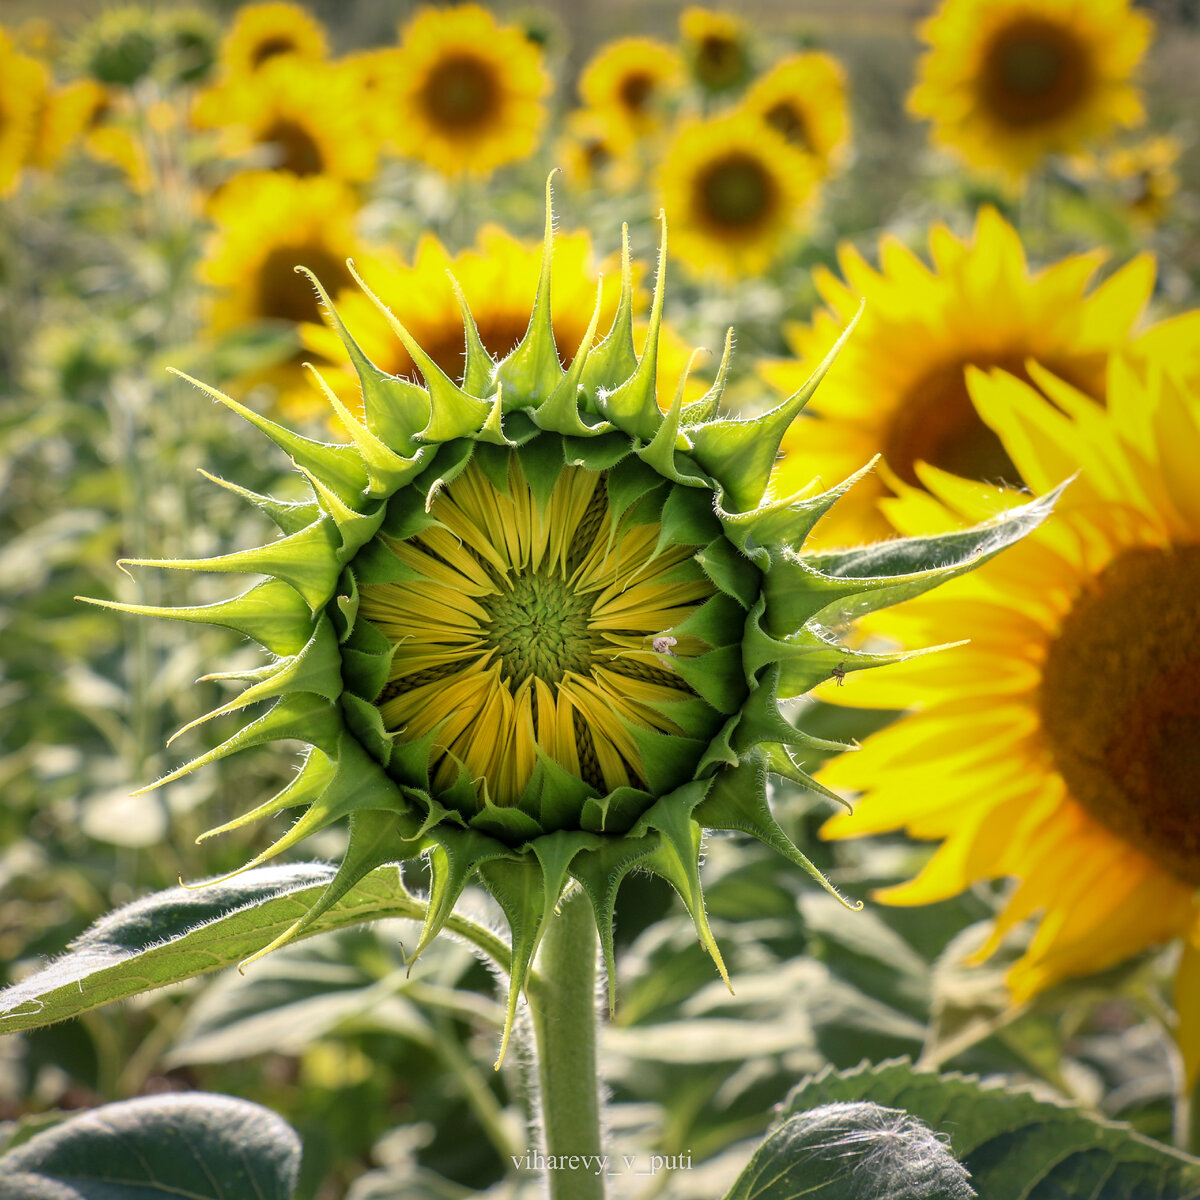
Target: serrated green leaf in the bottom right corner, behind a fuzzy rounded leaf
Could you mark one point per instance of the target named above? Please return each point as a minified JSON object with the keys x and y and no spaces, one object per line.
{"x":1015,"y":1145}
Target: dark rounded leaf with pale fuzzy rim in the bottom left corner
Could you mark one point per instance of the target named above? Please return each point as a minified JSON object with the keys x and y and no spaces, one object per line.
{"x":159,"y":1148}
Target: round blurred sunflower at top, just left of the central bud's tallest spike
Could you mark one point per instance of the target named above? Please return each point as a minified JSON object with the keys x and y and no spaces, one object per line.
{"x":471,"y":93}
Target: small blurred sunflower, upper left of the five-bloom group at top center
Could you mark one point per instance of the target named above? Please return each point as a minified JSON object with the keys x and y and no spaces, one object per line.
{"x":633,"y":82}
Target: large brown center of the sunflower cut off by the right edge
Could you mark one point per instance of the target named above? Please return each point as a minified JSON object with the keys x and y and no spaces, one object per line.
{"x":1121,"y":704}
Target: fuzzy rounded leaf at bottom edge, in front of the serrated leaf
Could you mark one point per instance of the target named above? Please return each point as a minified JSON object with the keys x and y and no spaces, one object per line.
{"x":853,"y":1153}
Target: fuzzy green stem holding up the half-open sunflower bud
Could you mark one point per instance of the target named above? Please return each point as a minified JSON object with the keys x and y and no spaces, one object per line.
{"x":563,"y":1003}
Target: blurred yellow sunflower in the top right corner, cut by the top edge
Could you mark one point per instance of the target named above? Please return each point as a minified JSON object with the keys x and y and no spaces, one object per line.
{"x":1009,"y":82}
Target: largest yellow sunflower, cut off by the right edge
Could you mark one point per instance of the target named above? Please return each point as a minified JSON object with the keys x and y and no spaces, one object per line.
{"x":1066,"y":735}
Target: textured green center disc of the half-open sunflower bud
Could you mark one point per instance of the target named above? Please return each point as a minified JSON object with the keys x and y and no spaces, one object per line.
{"x":539,"y":627}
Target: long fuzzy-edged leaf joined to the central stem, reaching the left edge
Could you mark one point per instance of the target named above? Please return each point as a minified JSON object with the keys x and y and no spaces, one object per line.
{"x":183,"y":933}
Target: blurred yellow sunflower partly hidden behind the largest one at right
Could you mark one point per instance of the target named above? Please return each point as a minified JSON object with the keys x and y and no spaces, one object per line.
{"x":898,"y":386}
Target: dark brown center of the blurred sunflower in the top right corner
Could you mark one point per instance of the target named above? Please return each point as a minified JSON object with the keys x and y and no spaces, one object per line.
{"x":1035,"y":71}
